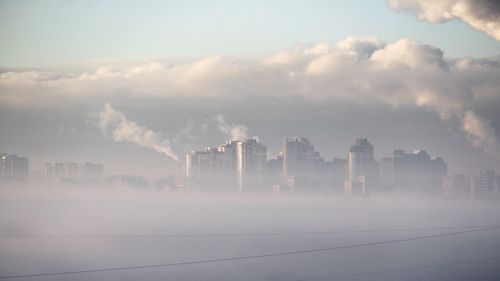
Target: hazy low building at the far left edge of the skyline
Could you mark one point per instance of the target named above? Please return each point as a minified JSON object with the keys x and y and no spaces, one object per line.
{"x":13,"y":167}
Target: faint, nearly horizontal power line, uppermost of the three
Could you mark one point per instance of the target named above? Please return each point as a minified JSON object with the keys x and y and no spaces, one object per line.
{"x":118,"y":236}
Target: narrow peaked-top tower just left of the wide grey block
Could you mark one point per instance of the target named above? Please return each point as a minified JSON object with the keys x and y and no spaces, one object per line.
{"x":362,"y":168}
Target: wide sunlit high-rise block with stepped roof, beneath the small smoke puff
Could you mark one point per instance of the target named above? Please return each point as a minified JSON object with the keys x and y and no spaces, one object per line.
{"x":239,"y":165}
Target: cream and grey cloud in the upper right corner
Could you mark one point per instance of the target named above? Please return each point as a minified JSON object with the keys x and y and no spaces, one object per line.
{"x":483,"y":15}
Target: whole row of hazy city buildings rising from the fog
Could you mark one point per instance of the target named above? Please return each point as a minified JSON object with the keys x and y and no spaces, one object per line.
{"x":247,"y":166}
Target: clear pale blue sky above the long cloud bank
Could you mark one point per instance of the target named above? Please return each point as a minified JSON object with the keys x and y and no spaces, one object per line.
{"x":49,"y":33}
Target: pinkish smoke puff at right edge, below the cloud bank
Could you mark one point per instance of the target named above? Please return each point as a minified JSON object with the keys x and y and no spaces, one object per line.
{"x":481,"y":134}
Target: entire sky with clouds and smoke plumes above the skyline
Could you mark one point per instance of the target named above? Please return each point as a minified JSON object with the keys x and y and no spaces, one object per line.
{"x":137,"y":84}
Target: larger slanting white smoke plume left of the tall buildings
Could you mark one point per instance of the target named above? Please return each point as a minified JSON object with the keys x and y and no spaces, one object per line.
{"x":124,"y":130}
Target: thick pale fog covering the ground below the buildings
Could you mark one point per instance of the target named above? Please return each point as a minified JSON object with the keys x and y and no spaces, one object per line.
{"x":44,"y":230}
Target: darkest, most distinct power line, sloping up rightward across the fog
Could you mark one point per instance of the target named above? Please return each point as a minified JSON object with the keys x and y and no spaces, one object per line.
{"x":250,"y":256}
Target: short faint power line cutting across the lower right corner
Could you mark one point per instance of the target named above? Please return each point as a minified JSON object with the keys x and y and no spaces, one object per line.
{"x":399,"y":269}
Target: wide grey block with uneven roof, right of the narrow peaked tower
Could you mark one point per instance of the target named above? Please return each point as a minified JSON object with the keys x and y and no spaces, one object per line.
{"x":413,"y":172}
